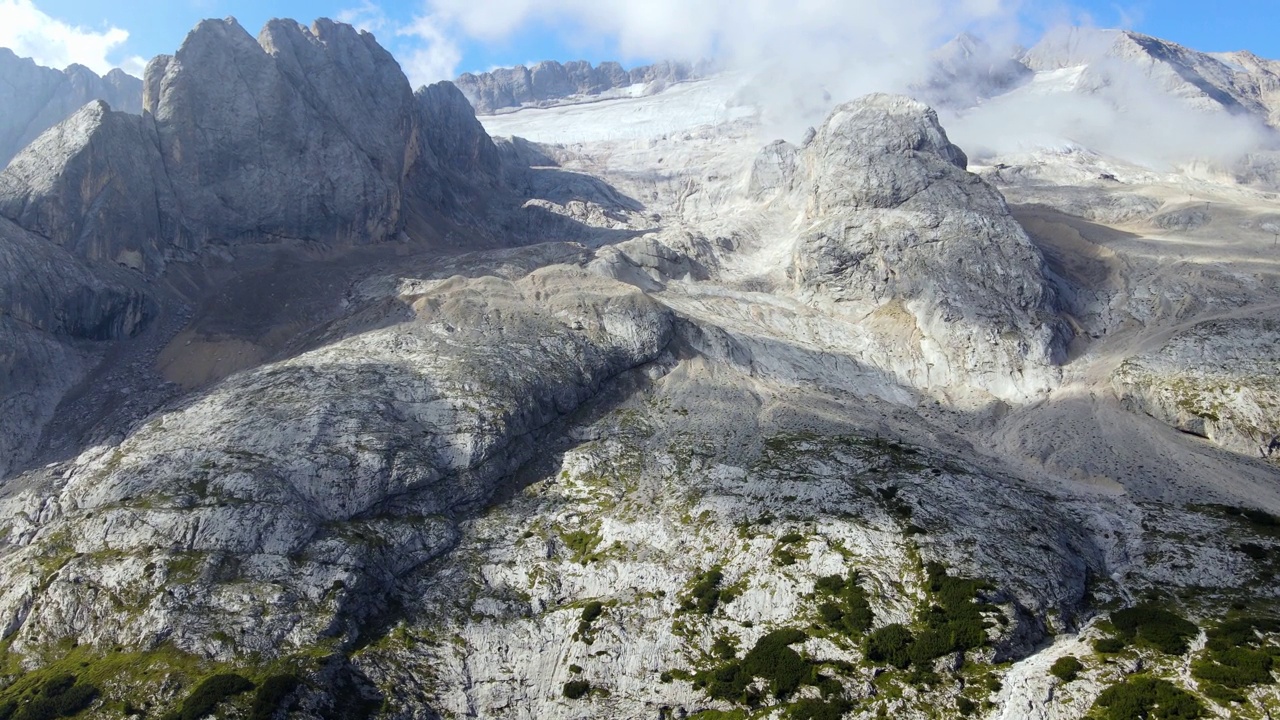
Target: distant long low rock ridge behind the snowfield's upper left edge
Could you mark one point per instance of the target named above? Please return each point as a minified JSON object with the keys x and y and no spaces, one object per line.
{"x":550,"y":83}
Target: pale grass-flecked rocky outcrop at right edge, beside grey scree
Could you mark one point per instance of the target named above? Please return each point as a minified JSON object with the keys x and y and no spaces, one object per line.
{"x":1217,"y":380}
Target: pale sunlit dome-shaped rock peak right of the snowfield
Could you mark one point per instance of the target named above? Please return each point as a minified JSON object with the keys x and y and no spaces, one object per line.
{"x":894,"y":229}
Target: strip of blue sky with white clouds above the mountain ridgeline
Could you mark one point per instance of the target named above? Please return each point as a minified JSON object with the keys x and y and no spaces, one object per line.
{"x":440,"y":39}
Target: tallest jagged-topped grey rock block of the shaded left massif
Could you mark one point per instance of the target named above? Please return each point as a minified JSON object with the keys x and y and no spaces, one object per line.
{"x":301,"y":134}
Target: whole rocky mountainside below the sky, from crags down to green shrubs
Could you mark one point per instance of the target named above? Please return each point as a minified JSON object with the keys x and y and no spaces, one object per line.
{"x":330,"y":399}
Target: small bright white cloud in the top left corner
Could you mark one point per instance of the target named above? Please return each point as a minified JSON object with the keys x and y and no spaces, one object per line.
{"x":31,"y":34}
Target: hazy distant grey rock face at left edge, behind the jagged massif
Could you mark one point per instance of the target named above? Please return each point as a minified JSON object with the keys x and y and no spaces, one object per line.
{"x":35,"y":99}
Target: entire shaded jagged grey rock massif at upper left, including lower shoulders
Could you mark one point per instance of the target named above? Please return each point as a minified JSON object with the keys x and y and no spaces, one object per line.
{"x":308,"y":134}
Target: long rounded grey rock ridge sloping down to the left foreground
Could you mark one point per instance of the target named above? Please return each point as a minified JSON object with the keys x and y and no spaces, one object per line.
{"x":309,"y":487}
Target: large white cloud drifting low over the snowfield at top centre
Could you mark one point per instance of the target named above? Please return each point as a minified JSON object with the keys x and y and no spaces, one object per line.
{"x":806,"y":49}
